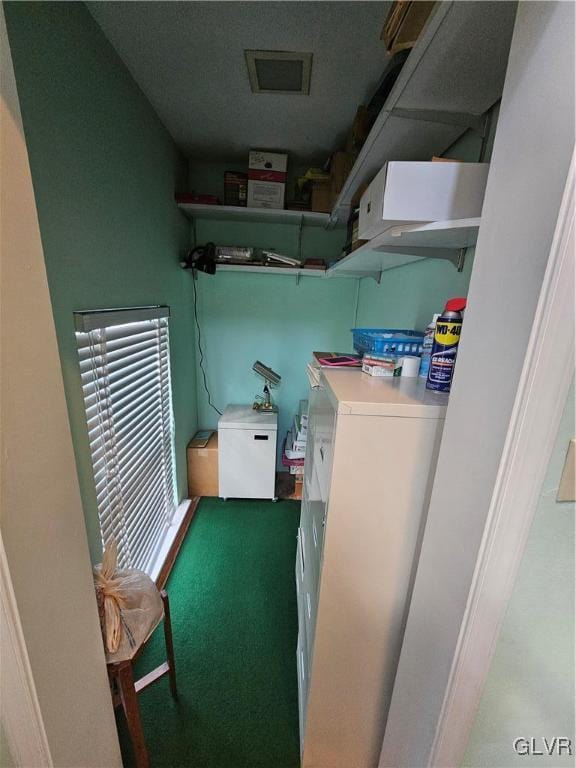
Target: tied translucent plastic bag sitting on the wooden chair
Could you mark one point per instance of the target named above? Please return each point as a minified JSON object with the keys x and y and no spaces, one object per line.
{"x":132,"y":606}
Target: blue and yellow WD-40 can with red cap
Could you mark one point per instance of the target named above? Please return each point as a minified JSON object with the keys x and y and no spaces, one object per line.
{"x":446,"y":338}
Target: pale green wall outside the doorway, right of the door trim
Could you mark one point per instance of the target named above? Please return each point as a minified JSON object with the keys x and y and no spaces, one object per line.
{"x":529,"y":691}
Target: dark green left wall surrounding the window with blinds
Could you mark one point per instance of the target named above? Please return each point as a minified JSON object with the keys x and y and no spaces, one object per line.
{"x":104,"y":170}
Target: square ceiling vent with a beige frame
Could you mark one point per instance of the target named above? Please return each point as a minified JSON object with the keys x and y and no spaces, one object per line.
{"x":279,"y":71}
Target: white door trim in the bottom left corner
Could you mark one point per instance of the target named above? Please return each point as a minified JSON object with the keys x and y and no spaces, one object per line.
{"x":20,"y":710}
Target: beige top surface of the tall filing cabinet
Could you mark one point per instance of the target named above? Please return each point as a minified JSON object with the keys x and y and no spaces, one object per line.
{"x":355,"y":393}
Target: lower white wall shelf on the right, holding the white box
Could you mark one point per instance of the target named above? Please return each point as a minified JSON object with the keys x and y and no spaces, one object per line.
{"x":409,"y":243}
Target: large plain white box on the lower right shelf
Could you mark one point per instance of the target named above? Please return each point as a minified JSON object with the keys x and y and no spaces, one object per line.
{"x":407,"y":192}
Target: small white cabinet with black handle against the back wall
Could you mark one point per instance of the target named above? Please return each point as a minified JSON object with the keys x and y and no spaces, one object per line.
{"x":247,"y":453}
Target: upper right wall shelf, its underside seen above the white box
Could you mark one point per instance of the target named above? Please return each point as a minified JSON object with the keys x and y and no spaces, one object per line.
{"x":454,"y":74}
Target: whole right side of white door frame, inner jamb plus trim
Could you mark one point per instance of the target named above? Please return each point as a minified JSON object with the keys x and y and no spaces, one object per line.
{"x":480,"y":455}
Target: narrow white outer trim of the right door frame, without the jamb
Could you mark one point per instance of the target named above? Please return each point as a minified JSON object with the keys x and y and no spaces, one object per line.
{"x":542,"y":392}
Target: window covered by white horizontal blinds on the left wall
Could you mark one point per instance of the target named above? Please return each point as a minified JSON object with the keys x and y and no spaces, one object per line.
{"x":125,"y":370}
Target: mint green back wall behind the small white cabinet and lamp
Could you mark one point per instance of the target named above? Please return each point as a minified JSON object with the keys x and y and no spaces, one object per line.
{"x":275,"y":319}
